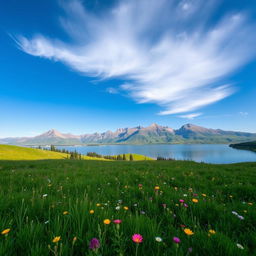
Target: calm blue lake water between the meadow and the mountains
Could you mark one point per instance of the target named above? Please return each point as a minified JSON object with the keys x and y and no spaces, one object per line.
{"x":208,"y":153}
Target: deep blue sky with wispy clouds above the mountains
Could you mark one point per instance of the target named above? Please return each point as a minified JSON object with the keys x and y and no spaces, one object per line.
{"x":86,"y":66}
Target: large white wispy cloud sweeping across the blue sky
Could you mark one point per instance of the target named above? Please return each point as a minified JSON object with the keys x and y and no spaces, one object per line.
{"x":164,"y":52}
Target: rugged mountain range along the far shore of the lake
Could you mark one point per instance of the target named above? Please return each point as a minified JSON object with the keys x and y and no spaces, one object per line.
{"x":152,"y":134}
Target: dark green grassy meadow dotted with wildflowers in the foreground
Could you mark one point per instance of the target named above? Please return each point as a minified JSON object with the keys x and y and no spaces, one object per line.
{"x":68,"y":200}
